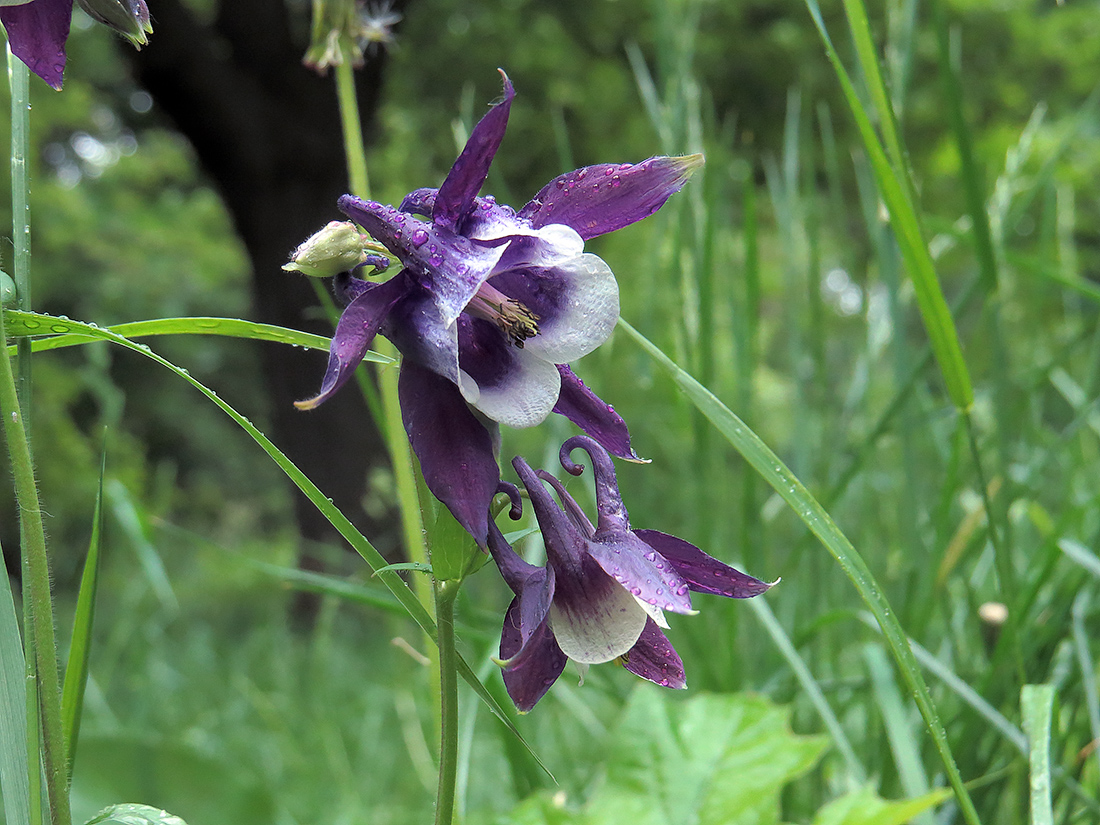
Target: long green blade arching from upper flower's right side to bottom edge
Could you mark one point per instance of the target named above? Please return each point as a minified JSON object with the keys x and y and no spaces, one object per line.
{"x":761,"y":457}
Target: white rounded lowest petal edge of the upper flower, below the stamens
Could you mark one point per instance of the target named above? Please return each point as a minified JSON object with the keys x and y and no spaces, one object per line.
{"x":524,"y":399}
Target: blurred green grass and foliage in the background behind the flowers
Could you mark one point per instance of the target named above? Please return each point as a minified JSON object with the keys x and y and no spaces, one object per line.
{"x":773,"y":278}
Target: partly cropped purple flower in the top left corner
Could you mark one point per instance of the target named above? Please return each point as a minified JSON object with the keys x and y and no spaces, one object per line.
{"x":38,"y":30}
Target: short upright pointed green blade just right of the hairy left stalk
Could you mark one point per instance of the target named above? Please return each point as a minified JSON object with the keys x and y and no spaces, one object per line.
{"x":76,"y":670}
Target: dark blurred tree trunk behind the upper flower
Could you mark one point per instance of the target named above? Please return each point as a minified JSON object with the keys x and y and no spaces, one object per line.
{"x":268,"y":133}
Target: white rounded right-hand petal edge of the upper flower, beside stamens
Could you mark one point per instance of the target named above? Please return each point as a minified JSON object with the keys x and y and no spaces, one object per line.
{"x":587,"y":317}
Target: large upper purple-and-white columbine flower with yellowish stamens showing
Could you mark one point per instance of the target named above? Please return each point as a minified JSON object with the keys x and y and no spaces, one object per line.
{"x":491,"y":306}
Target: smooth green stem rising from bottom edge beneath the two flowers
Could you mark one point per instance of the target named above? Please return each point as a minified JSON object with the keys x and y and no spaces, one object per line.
{"x":446,"y":592}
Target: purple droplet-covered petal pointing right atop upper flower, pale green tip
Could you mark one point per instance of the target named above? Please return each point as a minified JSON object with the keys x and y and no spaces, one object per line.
{"x":599,"y":200}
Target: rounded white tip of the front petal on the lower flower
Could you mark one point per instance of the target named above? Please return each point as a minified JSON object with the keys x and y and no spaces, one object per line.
{"x":603,"y":632}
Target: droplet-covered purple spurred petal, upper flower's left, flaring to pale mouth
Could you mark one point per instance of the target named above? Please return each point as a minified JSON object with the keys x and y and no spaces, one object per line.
{"x":448,"y":266}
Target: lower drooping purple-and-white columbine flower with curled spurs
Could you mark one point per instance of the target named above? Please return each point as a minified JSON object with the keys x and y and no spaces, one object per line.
{"x":603,"y":593}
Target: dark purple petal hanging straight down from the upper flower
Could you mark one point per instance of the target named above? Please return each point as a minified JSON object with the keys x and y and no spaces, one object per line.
{"x":455,"y":449}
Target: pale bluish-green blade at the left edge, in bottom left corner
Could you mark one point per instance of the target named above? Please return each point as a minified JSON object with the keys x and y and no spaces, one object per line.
{"x":14,"y":777}
